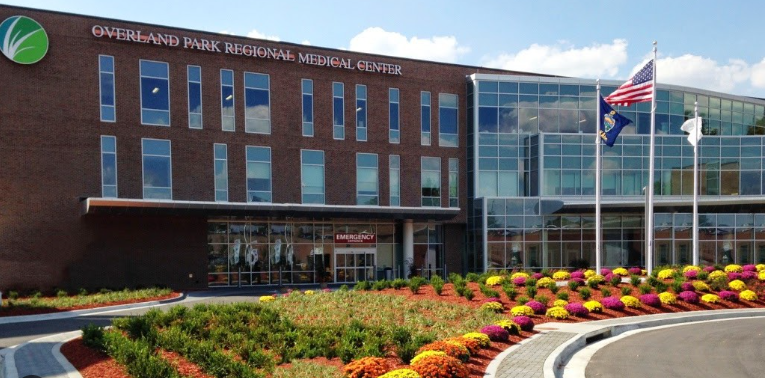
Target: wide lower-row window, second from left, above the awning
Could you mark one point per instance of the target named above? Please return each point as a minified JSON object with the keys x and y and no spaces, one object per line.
{"x":157,"y":169}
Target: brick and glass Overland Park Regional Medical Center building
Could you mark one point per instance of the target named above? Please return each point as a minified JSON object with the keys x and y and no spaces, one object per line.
{"x":138,"y":154}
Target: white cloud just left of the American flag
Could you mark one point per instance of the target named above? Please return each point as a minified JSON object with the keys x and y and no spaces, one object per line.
{"x":598,"y":60}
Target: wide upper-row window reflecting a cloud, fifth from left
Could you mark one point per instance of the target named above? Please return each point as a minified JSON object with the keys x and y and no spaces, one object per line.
{"x":257,"y":108}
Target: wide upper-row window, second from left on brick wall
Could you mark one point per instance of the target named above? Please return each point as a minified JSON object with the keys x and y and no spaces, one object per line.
{"x":155,"y":93}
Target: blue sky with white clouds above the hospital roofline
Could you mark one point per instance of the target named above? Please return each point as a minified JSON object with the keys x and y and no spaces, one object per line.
{"x":707,"y":44}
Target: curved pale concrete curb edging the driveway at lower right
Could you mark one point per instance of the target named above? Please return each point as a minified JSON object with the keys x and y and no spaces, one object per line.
{"x":561,"y":354}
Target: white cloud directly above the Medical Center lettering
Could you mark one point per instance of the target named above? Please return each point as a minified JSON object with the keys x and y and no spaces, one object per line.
{"x":378,"y":41}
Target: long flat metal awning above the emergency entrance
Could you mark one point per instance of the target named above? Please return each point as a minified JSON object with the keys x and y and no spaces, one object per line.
{"x":120,"y":206}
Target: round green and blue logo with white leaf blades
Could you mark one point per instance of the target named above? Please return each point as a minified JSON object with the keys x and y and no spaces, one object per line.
{"x":23,"y":40}
